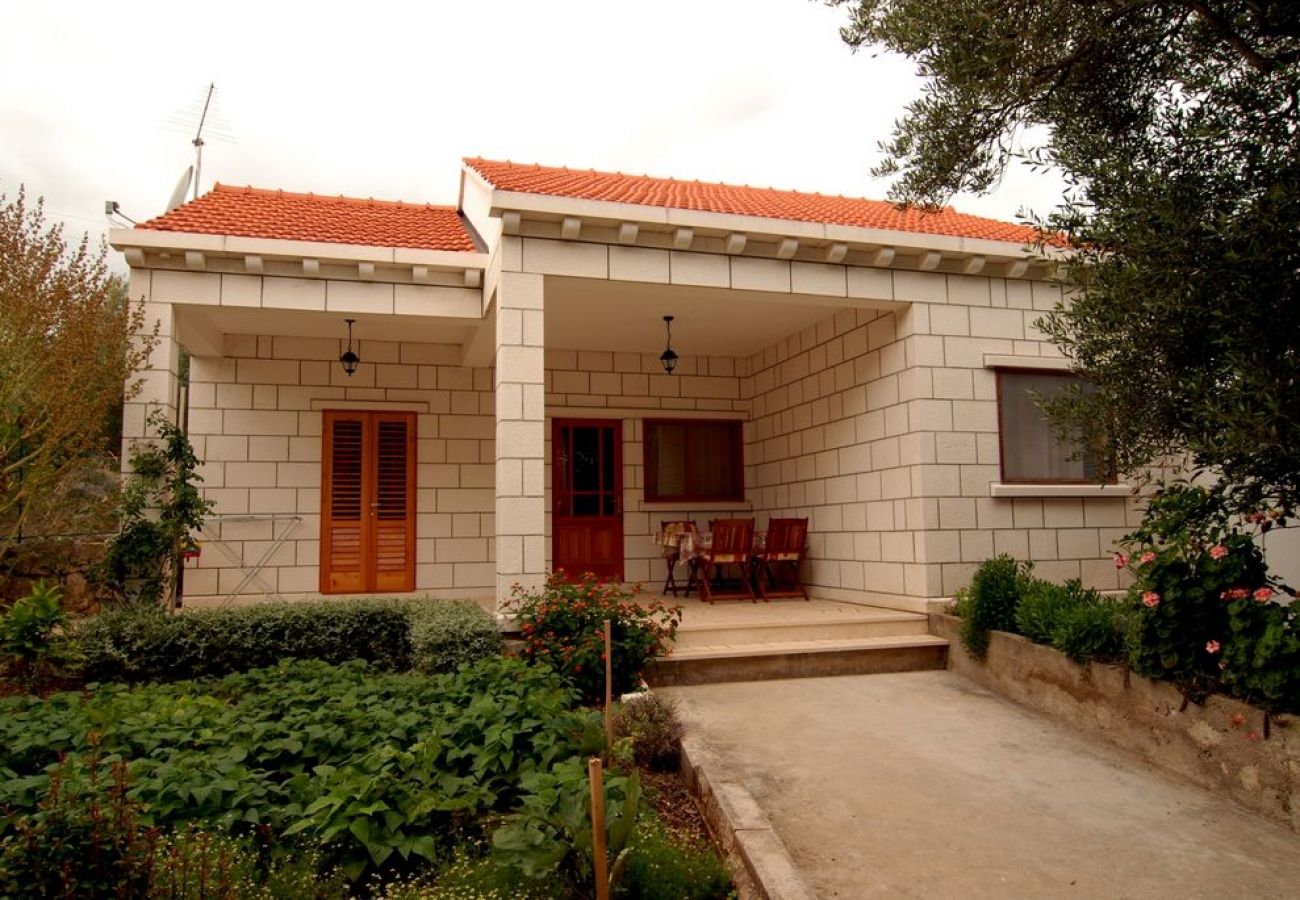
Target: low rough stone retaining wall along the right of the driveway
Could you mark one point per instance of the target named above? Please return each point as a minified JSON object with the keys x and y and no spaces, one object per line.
{"x":1220,"y":745}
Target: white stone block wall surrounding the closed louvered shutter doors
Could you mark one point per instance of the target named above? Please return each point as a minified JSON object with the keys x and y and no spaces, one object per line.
{"x":255,"y":421}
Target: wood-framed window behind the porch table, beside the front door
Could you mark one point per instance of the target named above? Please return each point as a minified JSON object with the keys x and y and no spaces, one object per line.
{"x":695,"y":460}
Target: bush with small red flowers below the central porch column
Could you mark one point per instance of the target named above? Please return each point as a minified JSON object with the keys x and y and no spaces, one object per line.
{"x":564,"y":628}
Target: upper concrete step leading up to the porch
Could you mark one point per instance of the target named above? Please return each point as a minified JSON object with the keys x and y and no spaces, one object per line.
{"x":800,"y":629}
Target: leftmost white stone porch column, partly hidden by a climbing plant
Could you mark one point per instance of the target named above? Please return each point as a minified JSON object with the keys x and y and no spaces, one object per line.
{"x":158,"y":379}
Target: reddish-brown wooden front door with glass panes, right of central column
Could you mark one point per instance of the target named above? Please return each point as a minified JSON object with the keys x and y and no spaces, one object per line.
{"x":587,"y":491}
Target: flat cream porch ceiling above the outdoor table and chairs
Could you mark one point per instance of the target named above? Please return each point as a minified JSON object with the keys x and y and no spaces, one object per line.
{"x":590,"y":314}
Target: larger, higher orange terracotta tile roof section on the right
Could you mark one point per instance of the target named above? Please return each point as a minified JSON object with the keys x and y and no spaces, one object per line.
{"x":764,"y":202}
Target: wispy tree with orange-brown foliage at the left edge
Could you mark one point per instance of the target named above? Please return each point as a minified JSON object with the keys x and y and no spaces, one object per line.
{"x":66,"y":357}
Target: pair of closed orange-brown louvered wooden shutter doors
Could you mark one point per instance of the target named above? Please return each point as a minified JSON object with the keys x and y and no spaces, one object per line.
{"x":369,"y":503}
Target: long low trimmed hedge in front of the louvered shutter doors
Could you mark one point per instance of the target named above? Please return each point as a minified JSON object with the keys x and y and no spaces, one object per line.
{"x":145,"y":643}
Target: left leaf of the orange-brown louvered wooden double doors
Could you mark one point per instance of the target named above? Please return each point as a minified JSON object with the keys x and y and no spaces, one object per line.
{"x":345,"y":503}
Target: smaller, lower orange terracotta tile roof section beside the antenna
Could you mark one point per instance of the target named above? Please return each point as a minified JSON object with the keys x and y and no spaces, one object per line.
{"x":253,"y":213}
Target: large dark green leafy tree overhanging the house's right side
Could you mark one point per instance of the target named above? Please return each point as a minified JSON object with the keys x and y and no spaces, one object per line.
{"x":1177,"y":124}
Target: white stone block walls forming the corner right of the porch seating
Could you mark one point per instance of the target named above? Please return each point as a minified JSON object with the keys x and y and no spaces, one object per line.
{"x":882,"y":429}
